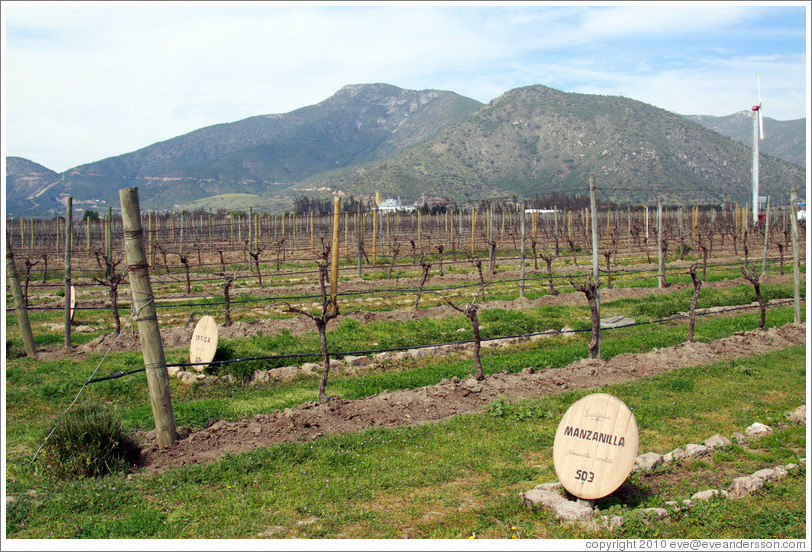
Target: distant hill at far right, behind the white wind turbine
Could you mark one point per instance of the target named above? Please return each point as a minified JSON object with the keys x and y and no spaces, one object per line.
{"x":782,"y":139}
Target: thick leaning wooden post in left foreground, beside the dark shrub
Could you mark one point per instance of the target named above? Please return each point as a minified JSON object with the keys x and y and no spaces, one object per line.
{"x":146,"y":316}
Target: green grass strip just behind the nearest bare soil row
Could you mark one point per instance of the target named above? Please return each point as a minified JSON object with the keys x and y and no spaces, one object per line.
{"x":38,"y":391}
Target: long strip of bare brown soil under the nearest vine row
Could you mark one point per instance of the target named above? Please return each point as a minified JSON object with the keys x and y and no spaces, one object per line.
{"x":432,"y":403}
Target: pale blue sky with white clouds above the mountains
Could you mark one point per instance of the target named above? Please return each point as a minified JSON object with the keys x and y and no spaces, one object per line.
{"x":82,"y":82}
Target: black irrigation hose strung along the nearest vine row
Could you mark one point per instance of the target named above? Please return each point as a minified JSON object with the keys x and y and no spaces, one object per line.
{"x":449,"y":343}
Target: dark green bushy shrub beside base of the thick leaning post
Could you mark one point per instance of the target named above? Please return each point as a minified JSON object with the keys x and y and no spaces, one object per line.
{"x":88,"y":441}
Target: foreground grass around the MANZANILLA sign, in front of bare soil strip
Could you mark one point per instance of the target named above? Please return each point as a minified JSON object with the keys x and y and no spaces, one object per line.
{"x":455,"y":479}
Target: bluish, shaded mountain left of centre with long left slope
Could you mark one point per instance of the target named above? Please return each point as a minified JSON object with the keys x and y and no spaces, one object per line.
{"x":267,"y":153}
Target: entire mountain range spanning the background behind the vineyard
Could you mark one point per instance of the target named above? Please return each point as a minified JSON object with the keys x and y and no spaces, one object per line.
{"x":372,"y":138}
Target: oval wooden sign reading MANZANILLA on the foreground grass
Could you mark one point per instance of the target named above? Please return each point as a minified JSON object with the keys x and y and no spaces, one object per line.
{"x":595,"y":446}
